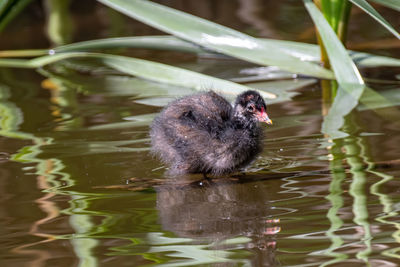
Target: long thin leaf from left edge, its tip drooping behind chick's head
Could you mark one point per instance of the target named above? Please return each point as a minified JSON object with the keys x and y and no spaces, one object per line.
{"x":142,"y":68}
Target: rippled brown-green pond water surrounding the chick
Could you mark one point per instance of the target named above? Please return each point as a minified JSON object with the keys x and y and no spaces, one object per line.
{"x":78,"y":186}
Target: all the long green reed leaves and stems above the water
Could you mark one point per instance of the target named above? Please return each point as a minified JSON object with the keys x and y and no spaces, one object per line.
{"x":197,"y":35}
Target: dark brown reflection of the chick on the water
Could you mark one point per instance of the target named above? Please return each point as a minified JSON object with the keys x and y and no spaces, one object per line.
{"x":221,"y":210}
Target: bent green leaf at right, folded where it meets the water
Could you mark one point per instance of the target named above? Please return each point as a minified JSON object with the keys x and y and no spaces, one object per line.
{"x":351,"y":85}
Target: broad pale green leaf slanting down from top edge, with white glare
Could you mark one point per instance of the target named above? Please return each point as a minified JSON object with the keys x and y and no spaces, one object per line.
{"x":213,"y":36}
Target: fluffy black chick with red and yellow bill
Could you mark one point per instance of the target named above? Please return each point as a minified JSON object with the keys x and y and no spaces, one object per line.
{"x":204,"y":133}
